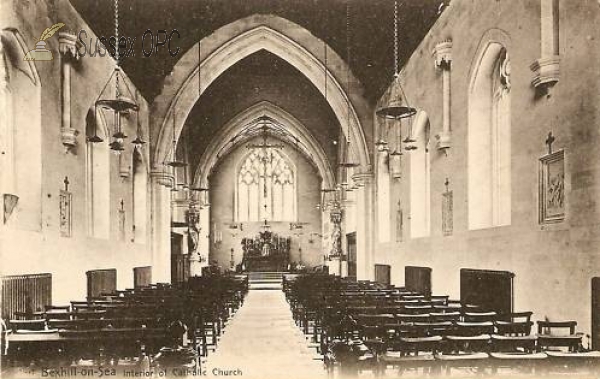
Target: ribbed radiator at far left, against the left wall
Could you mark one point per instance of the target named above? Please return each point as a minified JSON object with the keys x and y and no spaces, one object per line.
{"x":25,"y":293}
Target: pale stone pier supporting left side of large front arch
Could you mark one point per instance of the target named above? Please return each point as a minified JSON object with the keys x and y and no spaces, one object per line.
{"x":161,"y":225}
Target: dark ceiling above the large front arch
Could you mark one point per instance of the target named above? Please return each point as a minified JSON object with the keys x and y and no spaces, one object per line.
{"x":371,"y":30}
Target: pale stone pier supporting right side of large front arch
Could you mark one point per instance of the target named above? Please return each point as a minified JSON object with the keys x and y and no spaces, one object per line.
{"x":364,"y":225}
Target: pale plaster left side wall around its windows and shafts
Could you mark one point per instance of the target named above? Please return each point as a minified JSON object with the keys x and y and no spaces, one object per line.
{"x":27,"y":250}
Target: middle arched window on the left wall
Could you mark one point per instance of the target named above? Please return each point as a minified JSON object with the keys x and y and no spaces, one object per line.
{"x":98,"y":177}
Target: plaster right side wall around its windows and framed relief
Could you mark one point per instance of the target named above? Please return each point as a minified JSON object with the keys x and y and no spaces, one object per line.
{"x":553,"y":264}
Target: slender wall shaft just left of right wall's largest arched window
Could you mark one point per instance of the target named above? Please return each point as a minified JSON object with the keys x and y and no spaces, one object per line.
{"x":443,"y":61}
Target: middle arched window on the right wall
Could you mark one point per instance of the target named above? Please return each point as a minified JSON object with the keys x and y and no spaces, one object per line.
{"x":420,"y":171}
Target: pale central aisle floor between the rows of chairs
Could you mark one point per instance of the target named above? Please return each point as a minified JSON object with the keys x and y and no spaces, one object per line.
{"x":262,"y":341}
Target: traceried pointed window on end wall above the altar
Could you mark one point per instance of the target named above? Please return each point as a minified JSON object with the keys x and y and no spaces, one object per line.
{"x":266,"y":187}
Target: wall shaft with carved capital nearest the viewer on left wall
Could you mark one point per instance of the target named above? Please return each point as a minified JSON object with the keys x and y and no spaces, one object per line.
{"x":67,"y":44}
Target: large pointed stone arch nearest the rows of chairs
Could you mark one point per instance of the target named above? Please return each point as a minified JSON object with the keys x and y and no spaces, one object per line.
{"x":232,"y":43}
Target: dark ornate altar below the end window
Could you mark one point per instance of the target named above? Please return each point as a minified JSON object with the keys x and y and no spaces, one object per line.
{"x":266,"y":252}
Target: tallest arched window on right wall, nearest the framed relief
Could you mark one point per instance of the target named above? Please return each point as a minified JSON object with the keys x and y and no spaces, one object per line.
{"x":489,"y":153}
